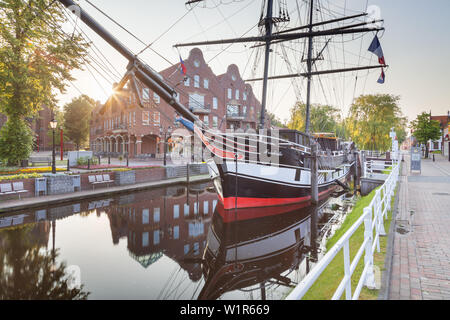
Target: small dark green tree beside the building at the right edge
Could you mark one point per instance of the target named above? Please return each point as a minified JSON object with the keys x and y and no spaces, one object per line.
{"x":425,"y":129}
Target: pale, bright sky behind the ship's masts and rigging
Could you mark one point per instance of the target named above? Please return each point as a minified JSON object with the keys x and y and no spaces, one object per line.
{"x":415,"y":45}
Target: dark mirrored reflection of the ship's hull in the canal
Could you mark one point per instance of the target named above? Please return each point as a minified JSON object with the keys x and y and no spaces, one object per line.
{"x":257,"y":252}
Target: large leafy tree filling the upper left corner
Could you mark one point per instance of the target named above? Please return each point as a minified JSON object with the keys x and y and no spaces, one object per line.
{"x":36,"y":61}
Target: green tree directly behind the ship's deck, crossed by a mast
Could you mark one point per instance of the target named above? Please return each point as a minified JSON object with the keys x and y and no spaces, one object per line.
{"x":323,"y":118}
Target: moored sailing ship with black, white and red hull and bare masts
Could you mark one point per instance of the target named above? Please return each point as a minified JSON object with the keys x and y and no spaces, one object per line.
{"x":259,"y":170}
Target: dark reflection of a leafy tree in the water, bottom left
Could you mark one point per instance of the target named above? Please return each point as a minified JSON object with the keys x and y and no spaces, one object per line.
{"x":28,"y":270}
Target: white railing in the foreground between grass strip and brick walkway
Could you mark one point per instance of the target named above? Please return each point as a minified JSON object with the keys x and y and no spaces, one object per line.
{"x":373,"y":220}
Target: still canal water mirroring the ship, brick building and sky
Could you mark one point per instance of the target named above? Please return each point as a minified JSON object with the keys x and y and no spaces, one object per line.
{"x":169,"y":243}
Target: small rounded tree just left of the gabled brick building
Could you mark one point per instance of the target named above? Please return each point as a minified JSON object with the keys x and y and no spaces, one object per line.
{"x":77,"y":117}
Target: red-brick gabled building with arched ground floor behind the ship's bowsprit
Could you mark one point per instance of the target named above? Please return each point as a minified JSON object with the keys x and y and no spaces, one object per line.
{"x":222,"y":102}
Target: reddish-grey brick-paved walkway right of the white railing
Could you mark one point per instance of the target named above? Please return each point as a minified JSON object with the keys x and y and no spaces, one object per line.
{"x":421,"y":253}
